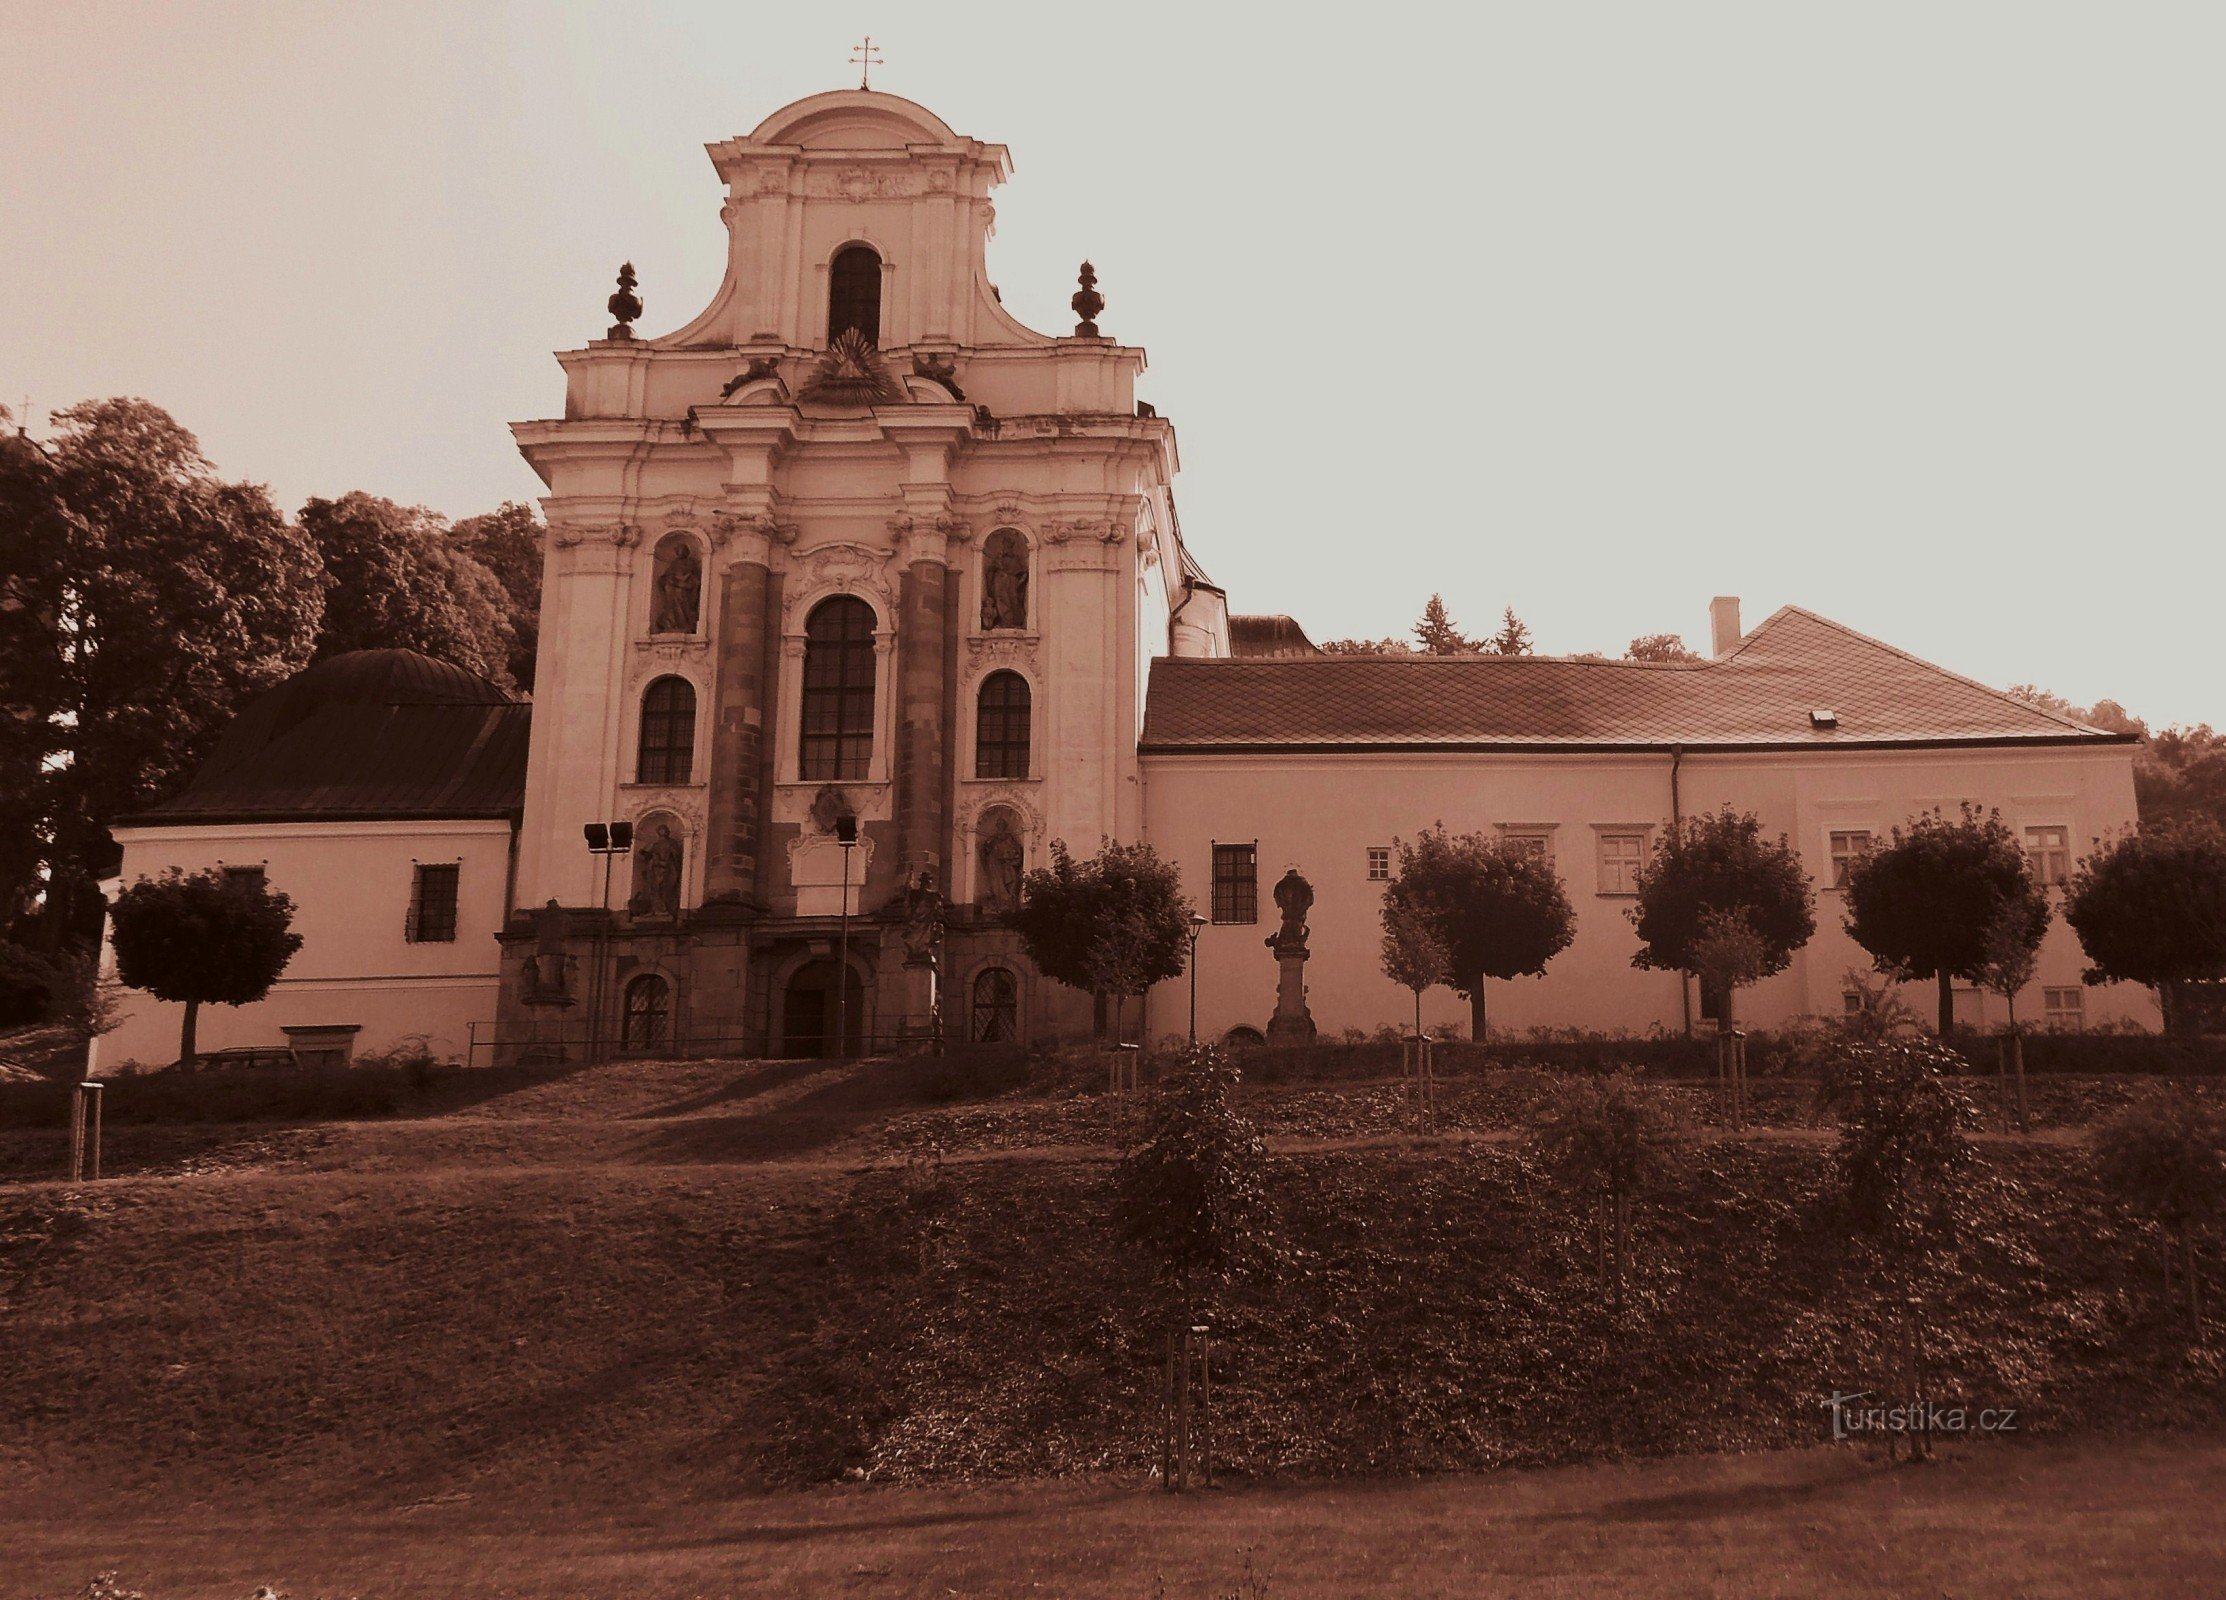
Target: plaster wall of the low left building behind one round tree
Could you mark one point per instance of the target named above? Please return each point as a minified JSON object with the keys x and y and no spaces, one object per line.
{"x":351,"y":887}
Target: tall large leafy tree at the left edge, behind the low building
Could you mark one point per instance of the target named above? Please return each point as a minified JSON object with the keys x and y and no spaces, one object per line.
{"x":141,"y":604}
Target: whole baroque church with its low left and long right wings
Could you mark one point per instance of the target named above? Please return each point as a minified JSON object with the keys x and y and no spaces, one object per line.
{"x":860,"y":595}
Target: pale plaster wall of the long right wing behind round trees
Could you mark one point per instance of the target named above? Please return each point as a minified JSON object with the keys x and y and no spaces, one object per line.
{"x":1321,"y":813}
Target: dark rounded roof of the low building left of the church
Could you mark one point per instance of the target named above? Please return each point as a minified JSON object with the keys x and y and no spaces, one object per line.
{"x":380,"y":735}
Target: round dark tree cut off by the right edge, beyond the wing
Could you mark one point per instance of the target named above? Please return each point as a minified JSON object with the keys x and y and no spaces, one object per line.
{"x":2151,"y":909}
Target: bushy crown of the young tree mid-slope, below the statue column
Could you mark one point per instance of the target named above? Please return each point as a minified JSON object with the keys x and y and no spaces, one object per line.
{"x":1194,"y":1189}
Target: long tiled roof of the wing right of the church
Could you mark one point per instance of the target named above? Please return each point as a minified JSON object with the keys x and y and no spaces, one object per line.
{"x":1762,"y":693}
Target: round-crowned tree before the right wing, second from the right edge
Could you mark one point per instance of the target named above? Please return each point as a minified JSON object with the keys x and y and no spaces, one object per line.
{"x":1931,"y":900}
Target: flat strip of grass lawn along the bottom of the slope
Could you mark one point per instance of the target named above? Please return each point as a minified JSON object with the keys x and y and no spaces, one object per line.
{"x":2000,"y":1519}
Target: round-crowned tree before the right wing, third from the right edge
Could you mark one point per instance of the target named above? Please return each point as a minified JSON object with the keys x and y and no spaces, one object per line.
{"x":1713,"y":885}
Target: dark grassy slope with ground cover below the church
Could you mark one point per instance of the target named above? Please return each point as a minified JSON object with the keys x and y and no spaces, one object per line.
{"x":415,"y":1310}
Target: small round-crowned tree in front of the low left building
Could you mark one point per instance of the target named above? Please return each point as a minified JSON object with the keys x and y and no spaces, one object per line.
{"x":204,"y":938}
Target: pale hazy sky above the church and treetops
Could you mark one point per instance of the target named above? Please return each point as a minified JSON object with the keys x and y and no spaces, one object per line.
{"x":1911,"y":315}
